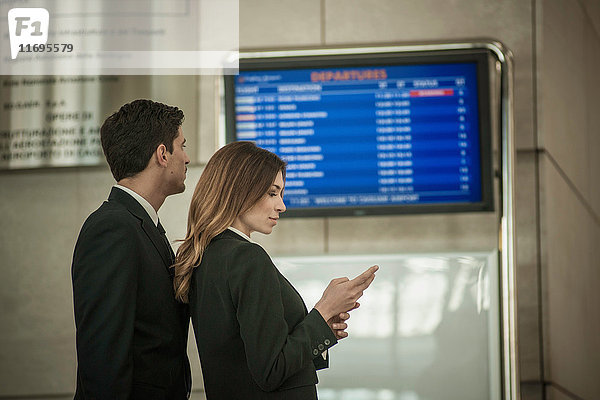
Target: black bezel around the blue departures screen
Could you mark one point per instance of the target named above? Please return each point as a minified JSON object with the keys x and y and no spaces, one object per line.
{"x":480,"y":56}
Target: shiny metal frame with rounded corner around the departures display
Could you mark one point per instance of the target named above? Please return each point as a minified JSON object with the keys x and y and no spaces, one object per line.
{"x":510,"y":366}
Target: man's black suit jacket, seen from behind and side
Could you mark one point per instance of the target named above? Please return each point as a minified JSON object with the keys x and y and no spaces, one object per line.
{"x":131,"y":332}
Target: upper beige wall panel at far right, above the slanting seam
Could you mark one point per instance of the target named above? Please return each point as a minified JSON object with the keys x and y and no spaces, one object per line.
{"x":562,"y":90}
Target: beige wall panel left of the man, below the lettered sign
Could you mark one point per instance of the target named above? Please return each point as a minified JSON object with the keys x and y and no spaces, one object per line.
{"x":40,"y":226}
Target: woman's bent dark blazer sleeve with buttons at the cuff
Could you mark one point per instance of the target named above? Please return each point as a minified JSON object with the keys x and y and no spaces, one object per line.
{"x":273,"y":351}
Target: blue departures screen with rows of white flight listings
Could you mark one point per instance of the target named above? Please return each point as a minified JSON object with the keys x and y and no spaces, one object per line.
{"x":367,"y":136}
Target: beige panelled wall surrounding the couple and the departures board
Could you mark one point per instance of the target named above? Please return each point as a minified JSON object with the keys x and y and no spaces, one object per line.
{"x":557,"y":48}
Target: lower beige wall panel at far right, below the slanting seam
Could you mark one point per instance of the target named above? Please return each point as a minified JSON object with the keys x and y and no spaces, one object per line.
{"x":570,"y":250}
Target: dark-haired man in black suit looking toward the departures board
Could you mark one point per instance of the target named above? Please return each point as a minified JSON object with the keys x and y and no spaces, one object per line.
{"x":131,"y":332}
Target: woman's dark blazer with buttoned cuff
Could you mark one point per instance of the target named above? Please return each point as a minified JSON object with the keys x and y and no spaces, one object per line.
{"x":255,"y":337}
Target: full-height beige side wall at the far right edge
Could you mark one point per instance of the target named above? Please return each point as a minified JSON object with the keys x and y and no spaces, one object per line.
{"x":568,"y":146}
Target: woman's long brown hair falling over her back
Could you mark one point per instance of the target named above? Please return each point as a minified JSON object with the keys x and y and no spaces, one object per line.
{"x":235,"y":178}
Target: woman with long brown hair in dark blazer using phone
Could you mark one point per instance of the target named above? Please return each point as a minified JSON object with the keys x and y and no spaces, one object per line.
{"x":255,"y":337}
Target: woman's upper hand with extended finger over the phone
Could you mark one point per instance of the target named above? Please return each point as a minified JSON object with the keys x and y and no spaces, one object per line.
{"x":341,"y":294}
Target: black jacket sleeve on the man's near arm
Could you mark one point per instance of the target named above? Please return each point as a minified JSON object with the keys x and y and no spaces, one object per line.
{"x":104,"y":276}
